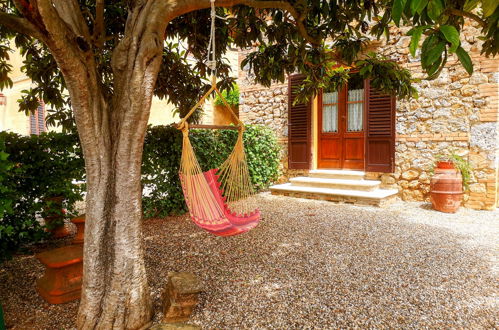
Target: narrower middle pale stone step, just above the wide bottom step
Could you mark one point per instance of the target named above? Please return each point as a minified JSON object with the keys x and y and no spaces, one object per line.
{"x":345,"y":184}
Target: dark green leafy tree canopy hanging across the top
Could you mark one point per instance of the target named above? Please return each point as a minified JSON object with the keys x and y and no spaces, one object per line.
{"x":312,"y":37}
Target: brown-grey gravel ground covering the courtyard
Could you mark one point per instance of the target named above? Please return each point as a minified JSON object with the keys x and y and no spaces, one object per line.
{"x":312,"y":264}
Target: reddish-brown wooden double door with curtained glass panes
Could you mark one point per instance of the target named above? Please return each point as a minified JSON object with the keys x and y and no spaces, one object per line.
{"x":341,"y":118}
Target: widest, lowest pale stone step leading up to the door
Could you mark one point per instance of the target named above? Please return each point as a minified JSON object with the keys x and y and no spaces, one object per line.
{"x":378,"y":197}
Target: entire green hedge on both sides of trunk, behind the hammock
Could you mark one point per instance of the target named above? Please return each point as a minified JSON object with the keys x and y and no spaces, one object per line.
{"x":34,"y":168}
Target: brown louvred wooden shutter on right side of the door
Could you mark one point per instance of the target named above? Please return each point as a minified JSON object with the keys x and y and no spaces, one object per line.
{"x":380,"y":131}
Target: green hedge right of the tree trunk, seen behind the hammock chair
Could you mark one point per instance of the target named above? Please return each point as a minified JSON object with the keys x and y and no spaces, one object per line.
{"x":160,"y":165}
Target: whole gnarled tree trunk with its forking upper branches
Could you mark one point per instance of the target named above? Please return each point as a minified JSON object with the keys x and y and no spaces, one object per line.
{"x":115,"y":293}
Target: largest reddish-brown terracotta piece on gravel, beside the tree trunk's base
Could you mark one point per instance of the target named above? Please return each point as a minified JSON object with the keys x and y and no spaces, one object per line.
{"x":61,"y":282}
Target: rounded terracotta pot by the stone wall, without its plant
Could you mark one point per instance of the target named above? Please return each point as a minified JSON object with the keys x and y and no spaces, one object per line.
{"x":446,"y":190}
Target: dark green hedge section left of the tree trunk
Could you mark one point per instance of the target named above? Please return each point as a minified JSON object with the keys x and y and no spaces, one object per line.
{"x":38,"y":168}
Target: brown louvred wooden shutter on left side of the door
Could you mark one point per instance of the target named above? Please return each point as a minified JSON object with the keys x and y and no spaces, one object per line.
{"x":299,"y":127}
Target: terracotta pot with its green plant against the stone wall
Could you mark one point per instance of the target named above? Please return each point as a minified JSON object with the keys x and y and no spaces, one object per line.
{"x":451,"y":174}
